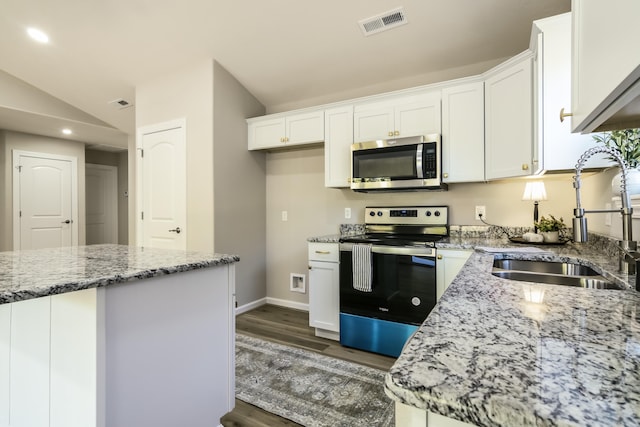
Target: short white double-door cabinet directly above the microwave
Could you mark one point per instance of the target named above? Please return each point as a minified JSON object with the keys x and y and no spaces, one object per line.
{"x":400,"y":116}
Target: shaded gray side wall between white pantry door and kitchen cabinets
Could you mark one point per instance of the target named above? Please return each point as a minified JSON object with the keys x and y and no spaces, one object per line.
{"x":239,"y":186}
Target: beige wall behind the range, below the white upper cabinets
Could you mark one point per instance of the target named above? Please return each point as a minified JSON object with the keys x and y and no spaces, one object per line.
{"x":295,"y":183}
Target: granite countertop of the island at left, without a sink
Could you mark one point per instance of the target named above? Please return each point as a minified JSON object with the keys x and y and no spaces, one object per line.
{"x":37,"y":273}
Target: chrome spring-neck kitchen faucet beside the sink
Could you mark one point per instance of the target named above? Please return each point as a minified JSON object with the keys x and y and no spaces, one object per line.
{"x":628,"y":247}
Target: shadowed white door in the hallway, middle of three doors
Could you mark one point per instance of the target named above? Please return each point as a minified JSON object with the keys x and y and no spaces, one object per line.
{"x":101,"y":183}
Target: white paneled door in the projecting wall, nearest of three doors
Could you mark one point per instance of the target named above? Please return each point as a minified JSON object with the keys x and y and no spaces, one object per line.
{"x":163,"y":184}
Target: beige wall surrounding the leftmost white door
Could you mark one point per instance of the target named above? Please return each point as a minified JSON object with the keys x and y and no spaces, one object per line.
{"x":42,"y":144}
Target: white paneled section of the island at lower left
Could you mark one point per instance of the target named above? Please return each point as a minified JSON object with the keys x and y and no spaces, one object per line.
{"x":48,"y":361}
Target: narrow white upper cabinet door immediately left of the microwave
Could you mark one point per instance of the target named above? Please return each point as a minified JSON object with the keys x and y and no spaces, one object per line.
{"x":338,"y":131}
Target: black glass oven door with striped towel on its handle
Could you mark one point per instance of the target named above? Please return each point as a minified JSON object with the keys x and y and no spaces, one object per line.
{"x":403,"y":286}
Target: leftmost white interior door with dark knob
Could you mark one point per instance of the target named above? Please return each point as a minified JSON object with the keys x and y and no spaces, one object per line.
{"x":44,"y":201}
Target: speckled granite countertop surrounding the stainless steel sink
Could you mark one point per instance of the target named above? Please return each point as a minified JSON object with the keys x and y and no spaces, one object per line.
{"x":498,"y":352}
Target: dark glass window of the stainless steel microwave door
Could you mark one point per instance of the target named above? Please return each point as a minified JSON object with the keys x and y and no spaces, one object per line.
{"x":395,"y":163}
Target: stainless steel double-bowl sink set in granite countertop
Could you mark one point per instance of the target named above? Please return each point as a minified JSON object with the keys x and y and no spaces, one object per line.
{"x":554,"y":273}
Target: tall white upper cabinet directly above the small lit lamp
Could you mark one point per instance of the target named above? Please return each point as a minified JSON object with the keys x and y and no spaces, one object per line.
{"x":558,"y":148}
